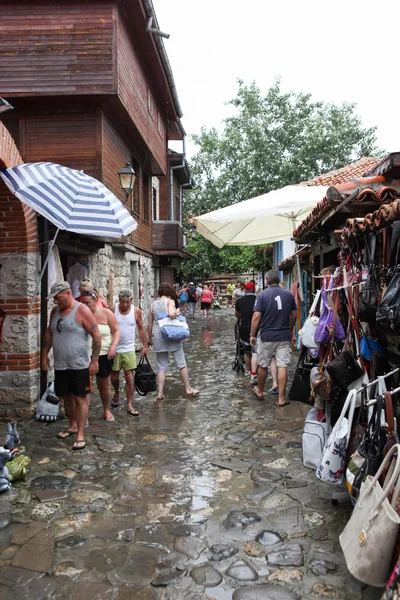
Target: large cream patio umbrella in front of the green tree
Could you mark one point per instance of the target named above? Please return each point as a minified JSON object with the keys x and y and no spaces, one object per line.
{"x":262,"y":220}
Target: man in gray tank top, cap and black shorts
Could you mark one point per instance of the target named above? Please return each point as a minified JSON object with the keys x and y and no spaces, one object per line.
{"x":71,"y":324}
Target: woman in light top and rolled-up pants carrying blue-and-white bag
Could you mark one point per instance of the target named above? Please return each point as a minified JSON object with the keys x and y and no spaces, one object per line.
{"x":162,"y":346}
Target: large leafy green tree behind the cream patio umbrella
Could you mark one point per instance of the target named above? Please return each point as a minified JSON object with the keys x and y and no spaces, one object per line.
{"x":272,"y":140}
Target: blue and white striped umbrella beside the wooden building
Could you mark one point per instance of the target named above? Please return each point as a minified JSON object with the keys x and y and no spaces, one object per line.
{"x":70,"y":199}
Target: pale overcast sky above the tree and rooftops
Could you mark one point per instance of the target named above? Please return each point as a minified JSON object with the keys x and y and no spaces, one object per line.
{"x":337,"y":51}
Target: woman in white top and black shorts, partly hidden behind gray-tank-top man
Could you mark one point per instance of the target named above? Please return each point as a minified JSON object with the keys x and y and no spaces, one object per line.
{"x":109,"y":332}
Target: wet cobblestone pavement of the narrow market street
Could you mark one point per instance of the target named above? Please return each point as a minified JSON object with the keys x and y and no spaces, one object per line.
{"x":195,"y":499}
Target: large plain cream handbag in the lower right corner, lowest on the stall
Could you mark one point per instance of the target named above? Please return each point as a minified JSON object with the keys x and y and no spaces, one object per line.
{"x":369,"y":537}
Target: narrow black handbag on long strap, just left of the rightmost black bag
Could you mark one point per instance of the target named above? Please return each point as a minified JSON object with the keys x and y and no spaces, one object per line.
{"x":369,"y":296}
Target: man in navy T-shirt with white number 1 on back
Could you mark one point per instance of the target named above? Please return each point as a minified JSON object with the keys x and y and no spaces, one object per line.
{"x":275,"y":314}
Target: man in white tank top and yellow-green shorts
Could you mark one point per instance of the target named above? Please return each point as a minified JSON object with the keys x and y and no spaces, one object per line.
{"x":129,"y":318}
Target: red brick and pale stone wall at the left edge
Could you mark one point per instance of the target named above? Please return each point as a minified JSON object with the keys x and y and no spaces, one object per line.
{"x":20,"y":260}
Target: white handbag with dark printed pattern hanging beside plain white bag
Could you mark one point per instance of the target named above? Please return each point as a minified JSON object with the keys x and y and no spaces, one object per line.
{"x":331,"y":467}
